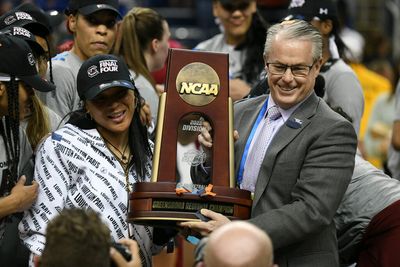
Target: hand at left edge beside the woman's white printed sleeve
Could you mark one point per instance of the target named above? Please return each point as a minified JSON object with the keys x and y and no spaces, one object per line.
{"x":24,"y":195}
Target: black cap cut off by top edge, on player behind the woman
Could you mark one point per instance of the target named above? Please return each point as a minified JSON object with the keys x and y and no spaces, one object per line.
{"x":87,"y":7}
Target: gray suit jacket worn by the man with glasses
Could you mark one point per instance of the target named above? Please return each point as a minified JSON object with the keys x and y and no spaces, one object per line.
{"x":303,"y":177}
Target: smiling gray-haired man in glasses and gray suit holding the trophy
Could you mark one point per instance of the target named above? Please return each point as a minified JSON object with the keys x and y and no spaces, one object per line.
{"x":299,"y":180}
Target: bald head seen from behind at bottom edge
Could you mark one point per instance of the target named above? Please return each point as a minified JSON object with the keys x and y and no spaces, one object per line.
{"x":238,"y":244}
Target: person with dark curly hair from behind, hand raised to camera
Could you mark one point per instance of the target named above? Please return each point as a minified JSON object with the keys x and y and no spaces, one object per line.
{"x":79,"y":238}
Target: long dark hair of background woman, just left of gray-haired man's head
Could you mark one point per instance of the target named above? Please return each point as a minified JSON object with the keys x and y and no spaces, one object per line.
{"x":254,"y":45}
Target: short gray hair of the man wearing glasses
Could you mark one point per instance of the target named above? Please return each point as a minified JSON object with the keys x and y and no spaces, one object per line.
{"x":295,"y":29}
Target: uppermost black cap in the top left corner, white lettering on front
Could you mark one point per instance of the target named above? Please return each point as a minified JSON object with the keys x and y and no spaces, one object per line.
{"x":24,"y":20}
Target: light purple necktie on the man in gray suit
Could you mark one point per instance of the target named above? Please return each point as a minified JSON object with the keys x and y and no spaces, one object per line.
{"x":258,"y":149}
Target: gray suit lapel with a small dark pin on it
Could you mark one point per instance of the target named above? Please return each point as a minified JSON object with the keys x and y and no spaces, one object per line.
{"x":284,"y":136}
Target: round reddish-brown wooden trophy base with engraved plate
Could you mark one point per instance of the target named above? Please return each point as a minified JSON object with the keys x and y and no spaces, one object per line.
{"x":157,"y":204}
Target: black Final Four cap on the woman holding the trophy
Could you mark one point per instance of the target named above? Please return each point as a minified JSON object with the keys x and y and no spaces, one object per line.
{"x":100,"y":73}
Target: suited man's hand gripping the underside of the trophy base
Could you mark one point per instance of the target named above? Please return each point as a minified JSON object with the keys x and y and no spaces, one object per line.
{"x":205,"y":228}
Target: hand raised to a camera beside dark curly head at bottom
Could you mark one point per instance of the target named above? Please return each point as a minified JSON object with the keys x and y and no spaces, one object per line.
{"x":119,"y":259}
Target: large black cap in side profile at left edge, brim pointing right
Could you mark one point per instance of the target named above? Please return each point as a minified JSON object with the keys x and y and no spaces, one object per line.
{"x":16,"y":59}
